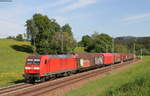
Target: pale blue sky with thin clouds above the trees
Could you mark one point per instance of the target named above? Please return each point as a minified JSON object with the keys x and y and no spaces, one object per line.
{"x":113,"y":17}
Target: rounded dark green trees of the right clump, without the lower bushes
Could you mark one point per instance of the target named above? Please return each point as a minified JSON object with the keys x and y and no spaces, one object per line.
{"x":97,"y":43}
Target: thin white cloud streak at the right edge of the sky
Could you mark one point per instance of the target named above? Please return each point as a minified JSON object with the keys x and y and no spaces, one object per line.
{"x":137,"y":17}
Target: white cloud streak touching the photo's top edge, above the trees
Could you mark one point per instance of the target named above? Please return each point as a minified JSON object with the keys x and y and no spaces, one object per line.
{"x":78,"y":4}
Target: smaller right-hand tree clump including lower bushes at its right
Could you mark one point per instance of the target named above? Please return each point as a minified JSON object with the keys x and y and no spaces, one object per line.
{"x":102,"y":43}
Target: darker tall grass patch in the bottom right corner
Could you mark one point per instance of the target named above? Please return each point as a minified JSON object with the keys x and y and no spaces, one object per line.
{"x":139,"y":87}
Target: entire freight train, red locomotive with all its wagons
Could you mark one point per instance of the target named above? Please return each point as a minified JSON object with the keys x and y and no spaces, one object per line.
{"x":39,"y":68}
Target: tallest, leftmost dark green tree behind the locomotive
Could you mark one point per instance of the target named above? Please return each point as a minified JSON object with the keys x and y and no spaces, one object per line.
{"x":40,"y":30}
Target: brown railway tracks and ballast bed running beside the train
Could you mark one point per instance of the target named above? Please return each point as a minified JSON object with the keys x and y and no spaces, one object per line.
{"x":46,"y":87}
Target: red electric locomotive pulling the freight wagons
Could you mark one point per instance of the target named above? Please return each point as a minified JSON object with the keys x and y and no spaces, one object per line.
{"x":41,"y":67}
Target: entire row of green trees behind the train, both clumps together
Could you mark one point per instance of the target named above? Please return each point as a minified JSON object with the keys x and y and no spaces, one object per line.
{"x":49,"y":37}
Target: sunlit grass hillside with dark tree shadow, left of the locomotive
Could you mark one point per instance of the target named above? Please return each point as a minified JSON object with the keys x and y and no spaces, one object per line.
{"x":12,"y":58}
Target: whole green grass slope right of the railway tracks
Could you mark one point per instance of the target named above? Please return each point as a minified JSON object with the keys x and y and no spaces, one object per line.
{"x":133,"y":81}
